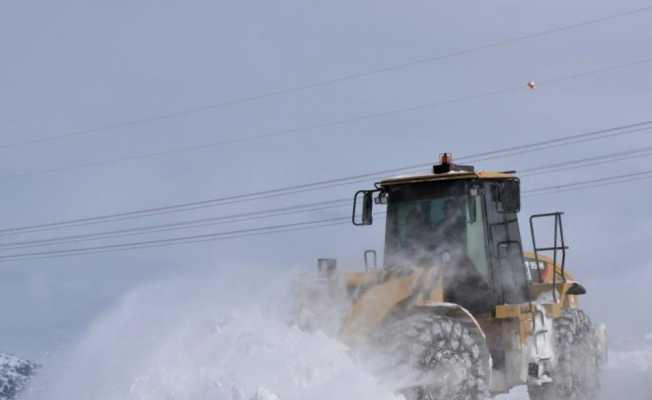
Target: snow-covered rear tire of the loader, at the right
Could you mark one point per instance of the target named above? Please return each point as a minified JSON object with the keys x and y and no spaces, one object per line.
{"x":576,"y":374}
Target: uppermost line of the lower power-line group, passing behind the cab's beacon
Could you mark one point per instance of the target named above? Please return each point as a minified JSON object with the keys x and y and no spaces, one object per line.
{"x":328,"y":183}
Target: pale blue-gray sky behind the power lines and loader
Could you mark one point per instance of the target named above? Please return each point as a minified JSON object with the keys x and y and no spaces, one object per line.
{"x":73,"y":65}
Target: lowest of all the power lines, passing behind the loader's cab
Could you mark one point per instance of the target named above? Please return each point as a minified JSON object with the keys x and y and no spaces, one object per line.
{"x":267,"y":230}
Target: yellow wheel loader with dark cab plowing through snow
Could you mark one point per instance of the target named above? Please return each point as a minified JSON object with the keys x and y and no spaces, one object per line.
{"x":458,"y":310}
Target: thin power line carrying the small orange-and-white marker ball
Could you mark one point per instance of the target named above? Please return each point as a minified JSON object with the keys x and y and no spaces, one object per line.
{"x":325,"y":124}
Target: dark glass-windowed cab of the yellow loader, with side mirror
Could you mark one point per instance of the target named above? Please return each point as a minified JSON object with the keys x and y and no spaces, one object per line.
{"x":464,"y":226}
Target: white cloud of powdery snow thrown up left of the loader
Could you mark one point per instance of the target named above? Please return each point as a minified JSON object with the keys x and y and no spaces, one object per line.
{"x":221,"y":337}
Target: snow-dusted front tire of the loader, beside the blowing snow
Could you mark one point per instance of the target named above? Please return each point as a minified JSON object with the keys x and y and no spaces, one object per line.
{"x":446,"y":358}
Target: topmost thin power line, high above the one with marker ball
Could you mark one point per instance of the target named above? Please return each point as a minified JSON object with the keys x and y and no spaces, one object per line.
{"x":327,"y":82}
